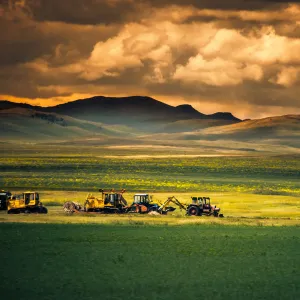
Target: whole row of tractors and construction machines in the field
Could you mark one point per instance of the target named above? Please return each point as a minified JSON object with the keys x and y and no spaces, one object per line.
{"x":109,"y":201}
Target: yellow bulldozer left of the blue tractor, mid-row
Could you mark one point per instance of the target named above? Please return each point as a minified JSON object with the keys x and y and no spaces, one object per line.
{"x":110,"y":201}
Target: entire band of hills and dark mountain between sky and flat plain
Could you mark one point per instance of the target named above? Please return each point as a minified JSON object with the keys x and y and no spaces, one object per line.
{"x":145,"y":122}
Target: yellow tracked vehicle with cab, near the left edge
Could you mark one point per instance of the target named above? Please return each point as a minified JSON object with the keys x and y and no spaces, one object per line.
{"x":27,"y":202}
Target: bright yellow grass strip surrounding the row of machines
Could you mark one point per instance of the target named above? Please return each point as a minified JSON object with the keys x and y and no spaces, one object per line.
{"x":238,"y":209}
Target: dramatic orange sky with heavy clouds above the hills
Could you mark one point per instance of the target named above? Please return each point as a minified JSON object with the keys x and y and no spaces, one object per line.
{"x":241,"y":56}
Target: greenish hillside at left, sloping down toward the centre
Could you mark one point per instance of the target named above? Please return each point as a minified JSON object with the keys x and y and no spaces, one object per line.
{"x":23,"y":124}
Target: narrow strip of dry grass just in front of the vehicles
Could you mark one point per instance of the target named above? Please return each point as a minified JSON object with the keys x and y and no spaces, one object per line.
{"x":57,"y":216}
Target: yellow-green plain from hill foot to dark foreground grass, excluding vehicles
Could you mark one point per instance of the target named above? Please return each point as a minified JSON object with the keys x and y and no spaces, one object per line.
{"x":253,"y":187}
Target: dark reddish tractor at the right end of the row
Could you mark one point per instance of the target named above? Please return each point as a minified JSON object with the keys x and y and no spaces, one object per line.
{"x":201,"y":206}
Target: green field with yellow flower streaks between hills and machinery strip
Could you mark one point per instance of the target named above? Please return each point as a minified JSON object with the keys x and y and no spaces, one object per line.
{"x":268,"y":175}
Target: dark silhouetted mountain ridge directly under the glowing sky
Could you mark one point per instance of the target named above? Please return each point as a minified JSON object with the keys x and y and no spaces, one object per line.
{"x":136,"y":110}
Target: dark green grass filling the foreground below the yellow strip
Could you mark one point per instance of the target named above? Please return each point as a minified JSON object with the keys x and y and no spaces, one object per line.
{"x":51,"y":261}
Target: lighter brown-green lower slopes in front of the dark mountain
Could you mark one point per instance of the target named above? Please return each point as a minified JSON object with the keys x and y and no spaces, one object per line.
{"x":279,"y":134}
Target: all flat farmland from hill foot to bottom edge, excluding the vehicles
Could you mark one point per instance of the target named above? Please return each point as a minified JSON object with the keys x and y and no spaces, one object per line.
{"x":251,"y":253}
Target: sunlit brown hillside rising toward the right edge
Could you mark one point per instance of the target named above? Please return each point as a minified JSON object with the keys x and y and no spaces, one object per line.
{"x":273,"y":134}
